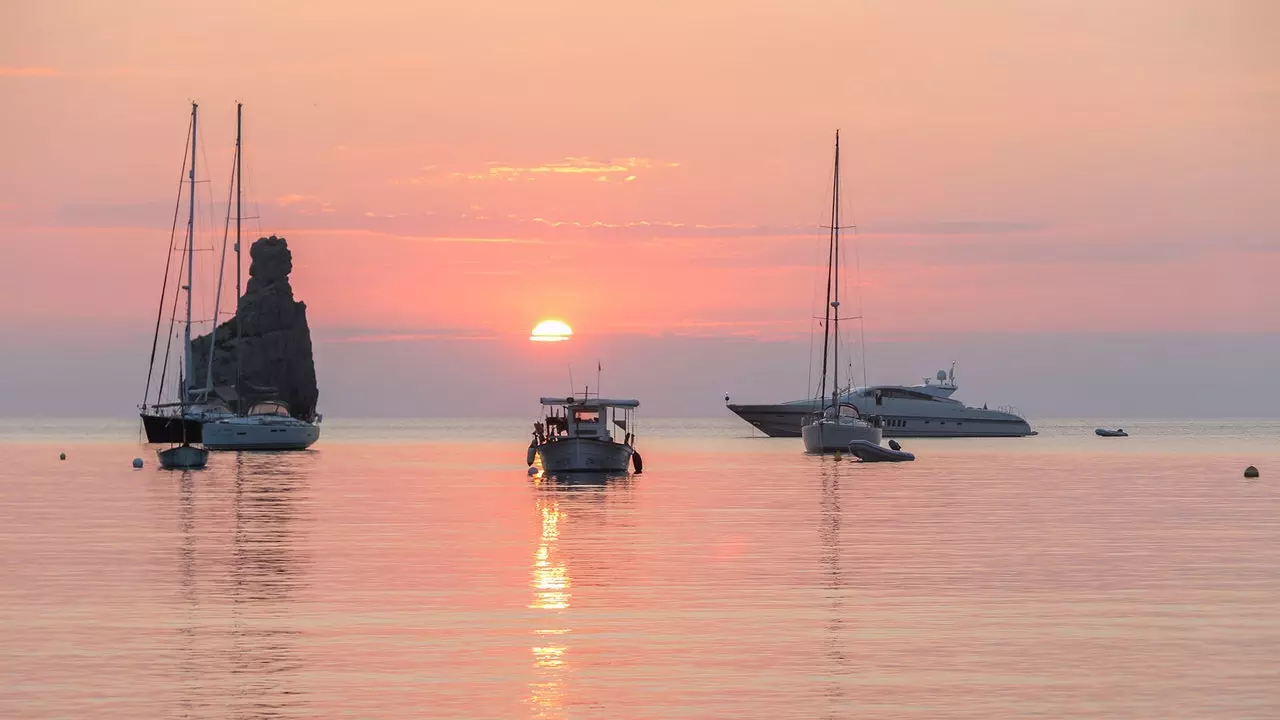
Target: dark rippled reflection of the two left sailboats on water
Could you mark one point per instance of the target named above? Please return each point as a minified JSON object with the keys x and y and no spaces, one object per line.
{"x":240,"y":576}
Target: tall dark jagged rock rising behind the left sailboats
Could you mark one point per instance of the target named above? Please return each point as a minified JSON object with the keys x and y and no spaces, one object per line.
{"x":275,"y":341}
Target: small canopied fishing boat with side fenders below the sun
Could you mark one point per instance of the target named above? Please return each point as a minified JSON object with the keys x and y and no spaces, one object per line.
{"x":577,"y":436}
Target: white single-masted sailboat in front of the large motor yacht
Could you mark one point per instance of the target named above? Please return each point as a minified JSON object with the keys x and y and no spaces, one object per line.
{"x":836,"y":423}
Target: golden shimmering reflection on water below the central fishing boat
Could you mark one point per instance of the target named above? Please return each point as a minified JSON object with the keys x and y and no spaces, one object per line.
{"x":559,"y":502}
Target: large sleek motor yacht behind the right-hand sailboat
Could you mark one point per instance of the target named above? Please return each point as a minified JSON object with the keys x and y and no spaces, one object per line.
{"x":920,"y":411}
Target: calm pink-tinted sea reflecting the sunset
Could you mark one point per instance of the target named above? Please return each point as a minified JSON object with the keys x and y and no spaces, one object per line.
{"x":414,"y":571}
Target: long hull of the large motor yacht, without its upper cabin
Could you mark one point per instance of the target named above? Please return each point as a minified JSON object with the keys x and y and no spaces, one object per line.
{"x":788,"y":420}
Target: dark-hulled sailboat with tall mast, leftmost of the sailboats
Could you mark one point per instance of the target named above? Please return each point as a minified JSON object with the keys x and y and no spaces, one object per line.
{"x":181,"y":422}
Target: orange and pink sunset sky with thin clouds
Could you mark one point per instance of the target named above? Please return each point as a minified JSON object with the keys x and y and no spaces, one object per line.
{"x":1075,"y":200}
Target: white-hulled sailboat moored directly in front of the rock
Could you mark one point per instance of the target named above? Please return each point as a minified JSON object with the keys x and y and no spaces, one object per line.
{"x":268,"y":425}
